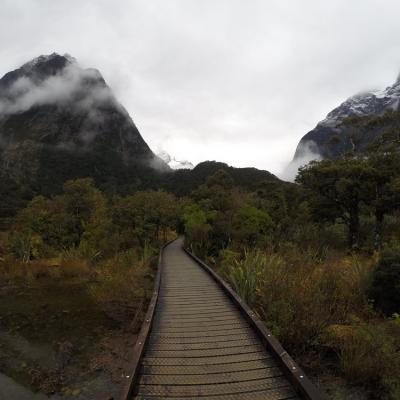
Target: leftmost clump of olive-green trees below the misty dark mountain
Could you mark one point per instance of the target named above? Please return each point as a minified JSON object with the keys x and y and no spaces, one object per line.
{"x":78,"y":218}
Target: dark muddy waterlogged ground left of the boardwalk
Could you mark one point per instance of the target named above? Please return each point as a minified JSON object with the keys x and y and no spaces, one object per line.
{"x":56,"y":341}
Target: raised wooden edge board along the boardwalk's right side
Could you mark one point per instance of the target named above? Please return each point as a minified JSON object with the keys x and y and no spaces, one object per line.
{"x":293,"y":372}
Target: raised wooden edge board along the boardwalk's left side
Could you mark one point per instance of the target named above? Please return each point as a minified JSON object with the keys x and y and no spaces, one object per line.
{"x":144,"y":333}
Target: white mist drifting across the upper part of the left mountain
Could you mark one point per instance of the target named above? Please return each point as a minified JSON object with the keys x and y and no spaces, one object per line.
{"x":80,"y":91}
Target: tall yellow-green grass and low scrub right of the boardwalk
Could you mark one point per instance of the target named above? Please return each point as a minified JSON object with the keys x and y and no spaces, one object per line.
{"x":318,"y":308}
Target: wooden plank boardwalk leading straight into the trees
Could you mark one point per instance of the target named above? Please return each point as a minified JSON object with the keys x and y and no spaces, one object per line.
{"x":201,"y":346}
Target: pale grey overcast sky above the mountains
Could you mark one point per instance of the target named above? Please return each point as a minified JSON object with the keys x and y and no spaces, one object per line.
{"x":239,"y":81}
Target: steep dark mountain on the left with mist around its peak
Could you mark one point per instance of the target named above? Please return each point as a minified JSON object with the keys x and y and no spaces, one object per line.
{"x":59,"y":121}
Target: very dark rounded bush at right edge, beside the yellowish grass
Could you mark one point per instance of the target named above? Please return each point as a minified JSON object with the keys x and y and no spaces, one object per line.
{"x":385,"y":290}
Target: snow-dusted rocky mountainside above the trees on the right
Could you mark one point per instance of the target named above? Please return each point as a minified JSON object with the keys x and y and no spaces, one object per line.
{"x":329,"y":138}
